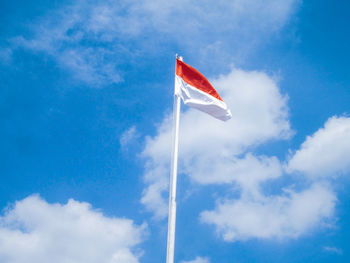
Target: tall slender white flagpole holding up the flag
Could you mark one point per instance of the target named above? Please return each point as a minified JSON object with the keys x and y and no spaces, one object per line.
{"x":173,"y":179}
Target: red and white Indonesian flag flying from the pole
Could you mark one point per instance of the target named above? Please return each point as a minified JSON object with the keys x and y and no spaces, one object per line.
{"x":196,"y":92}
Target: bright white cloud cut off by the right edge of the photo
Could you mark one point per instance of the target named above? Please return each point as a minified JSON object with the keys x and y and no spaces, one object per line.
{"x":326,"y":153}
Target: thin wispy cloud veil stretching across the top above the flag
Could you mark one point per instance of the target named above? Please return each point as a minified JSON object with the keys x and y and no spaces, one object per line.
{"x":92,"y":39}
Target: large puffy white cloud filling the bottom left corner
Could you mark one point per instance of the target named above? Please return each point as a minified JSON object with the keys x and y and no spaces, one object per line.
{"x":36,"y":231}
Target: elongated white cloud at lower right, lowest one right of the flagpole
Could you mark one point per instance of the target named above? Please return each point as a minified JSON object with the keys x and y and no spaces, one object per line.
{"x":289,"y":215}
